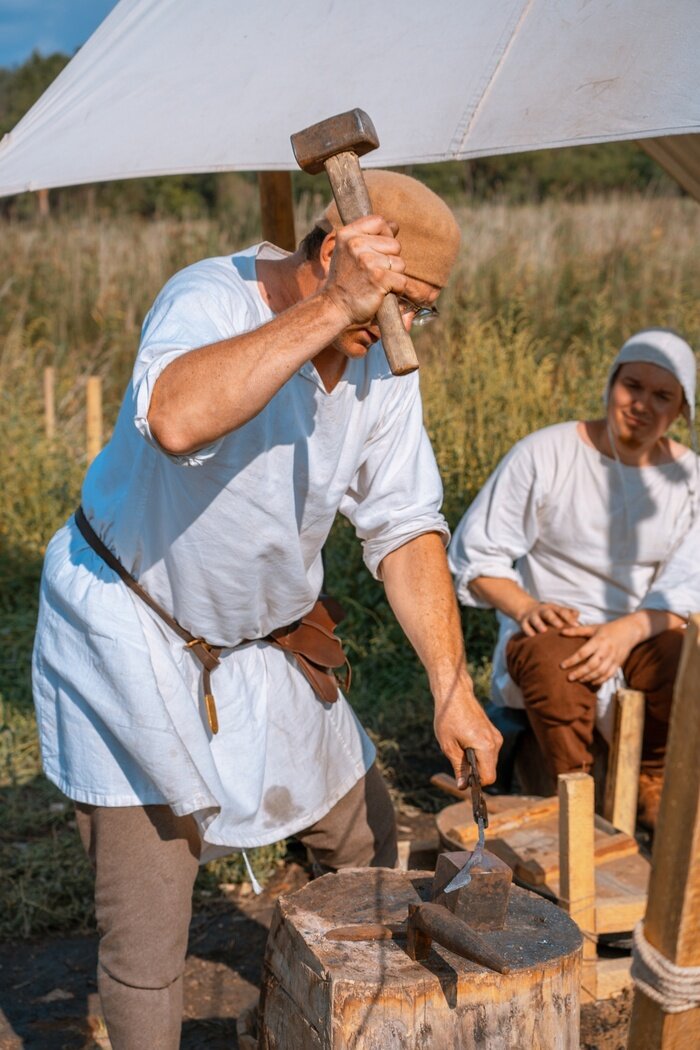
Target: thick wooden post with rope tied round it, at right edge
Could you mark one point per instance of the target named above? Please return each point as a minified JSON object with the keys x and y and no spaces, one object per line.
{"x":672,"y":923}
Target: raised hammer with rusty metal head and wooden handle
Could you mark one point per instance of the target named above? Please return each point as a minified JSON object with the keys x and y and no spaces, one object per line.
{"x":336,"y":144}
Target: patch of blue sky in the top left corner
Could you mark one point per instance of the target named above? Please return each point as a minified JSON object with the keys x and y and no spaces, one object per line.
{"x":48,"y":27}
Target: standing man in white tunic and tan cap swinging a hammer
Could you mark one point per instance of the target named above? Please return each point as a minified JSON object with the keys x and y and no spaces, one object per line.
{"x":260,"y":407}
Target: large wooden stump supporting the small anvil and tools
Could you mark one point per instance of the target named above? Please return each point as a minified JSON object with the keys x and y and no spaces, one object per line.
{"x":321,"y":994}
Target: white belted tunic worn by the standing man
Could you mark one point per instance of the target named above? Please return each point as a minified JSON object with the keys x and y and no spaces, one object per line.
{"x":229,"y":541}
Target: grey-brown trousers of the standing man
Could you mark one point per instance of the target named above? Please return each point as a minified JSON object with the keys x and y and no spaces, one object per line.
{"x":146,"y":860}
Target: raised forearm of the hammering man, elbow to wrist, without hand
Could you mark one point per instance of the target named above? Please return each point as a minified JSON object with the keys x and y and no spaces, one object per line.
{"x":215,"y":390}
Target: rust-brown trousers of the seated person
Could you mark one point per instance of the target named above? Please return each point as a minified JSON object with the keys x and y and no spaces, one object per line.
{"x":563,"y":713}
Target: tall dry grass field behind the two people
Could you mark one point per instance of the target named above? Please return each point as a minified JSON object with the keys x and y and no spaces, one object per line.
{"x":543,"y":297}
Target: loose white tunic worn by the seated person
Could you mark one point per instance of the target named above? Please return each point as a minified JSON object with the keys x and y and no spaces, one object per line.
{"x":576,"y":528}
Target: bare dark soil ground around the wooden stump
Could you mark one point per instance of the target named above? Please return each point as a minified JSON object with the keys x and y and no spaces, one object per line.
{"x":49,"y":998}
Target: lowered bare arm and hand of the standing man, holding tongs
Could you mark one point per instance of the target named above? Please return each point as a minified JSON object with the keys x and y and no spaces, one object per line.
{"x":420,"y":591}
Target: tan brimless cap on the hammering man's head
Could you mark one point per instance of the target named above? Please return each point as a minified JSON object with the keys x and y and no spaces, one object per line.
{"x":429,"y":233}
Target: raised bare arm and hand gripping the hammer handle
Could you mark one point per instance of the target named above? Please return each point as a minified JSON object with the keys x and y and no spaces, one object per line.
{"x":211,"y":391}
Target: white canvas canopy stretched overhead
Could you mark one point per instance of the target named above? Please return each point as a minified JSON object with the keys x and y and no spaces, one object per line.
{"x":171,"y":87}
